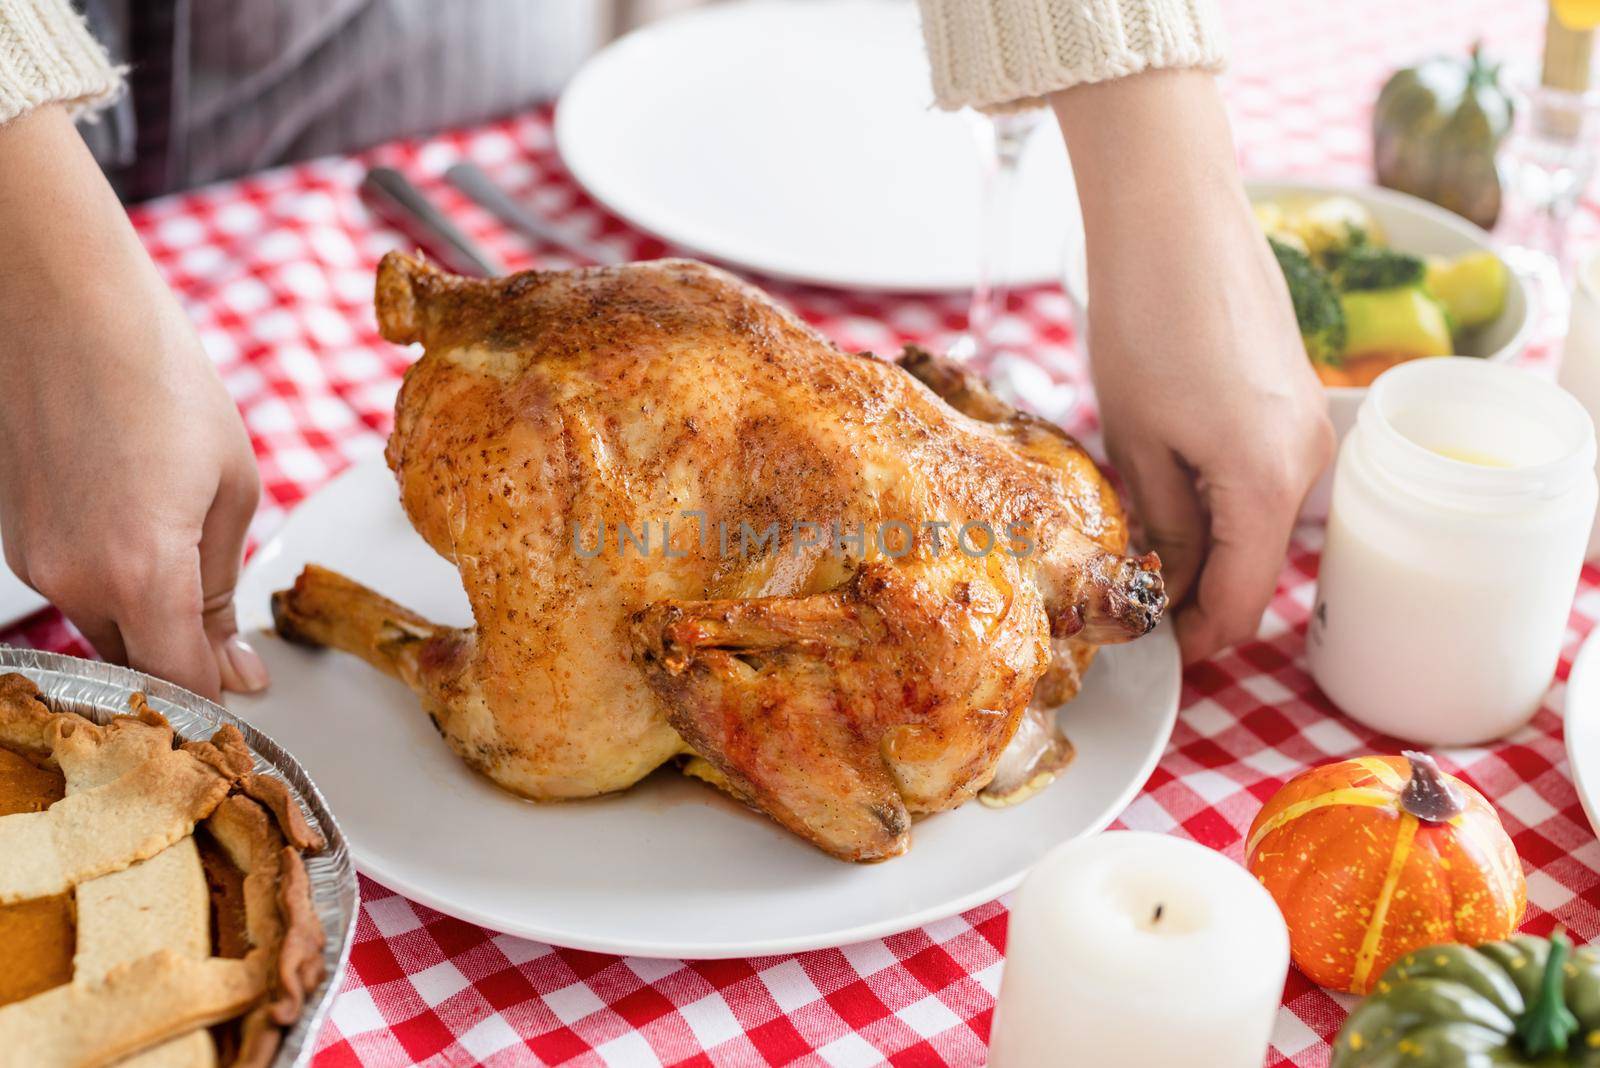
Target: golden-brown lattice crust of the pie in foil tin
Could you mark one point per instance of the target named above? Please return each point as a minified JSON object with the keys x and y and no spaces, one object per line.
{"x":145,"y":982}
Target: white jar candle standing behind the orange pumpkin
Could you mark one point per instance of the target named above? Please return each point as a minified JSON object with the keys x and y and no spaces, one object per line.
{"x":1462,"y":509}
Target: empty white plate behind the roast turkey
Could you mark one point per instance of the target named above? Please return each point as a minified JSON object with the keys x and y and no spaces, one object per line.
{"x":799,"y":138}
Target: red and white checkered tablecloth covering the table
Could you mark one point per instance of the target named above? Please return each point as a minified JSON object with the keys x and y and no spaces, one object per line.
{"x":278,"y":271}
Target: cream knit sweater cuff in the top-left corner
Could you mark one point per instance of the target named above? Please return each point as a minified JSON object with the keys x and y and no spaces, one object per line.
{"x":47,"y":57}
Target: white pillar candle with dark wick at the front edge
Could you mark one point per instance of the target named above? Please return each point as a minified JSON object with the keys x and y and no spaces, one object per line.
{"x":1143,"y":952}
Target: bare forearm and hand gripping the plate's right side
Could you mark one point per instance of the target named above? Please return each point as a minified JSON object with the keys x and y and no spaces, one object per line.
{"x":1212,"y":412}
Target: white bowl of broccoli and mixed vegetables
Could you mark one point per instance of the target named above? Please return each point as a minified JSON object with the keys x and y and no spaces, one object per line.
{"x":1378,"y":279}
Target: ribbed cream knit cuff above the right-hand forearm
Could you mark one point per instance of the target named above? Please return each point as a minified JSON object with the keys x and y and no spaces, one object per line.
{"x":1002,"y":54}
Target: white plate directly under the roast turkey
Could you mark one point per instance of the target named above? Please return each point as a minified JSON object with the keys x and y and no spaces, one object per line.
{"x":670,"y":867}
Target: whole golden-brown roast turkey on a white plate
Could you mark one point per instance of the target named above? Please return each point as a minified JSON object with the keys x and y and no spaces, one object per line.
{"x":839,"y":683}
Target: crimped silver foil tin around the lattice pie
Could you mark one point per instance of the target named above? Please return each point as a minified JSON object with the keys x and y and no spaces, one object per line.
{"x":102,"y":691}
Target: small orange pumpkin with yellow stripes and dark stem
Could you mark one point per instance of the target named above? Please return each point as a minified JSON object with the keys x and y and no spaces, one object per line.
{"x":1378,"y":856}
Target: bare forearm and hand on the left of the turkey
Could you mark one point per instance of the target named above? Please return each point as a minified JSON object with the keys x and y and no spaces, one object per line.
{"x":127,"y":480}
